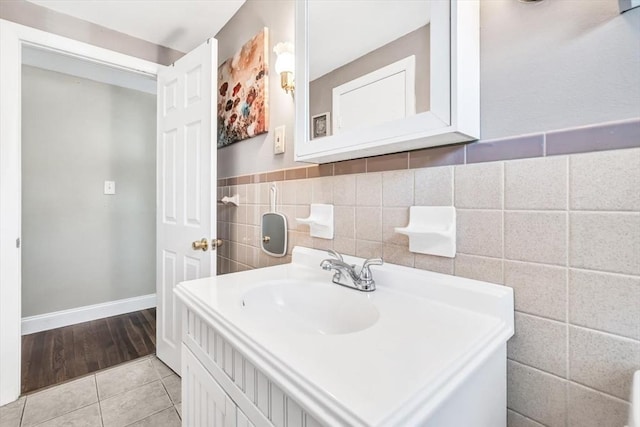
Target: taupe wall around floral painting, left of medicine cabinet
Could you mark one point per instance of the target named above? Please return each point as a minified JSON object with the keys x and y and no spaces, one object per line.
{"x":256,"y":154}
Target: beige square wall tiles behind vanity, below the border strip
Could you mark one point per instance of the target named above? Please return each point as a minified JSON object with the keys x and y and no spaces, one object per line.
{"x":563,"y":231}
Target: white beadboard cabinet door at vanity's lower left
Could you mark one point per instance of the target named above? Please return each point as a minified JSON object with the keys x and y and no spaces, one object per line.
{"x":204,"y":402}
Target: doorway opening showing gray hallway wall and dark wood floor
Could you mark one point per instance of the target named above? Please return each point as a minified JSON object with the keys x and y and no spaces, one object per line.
{"x":88,"y":216}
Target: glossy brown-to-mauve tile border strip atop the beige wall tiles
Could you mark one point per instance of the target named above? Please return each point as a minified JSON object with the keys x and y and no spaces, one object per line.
{"x":605,"y":136}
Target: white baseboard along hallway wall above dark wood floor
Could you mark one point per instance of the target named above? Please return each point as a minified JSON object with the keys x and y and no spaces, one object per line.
{"x":57,"y":319}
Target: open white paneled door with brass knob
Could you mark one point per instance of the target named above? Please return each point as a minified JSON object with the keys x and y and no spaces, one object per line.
{"x":186,"y":173}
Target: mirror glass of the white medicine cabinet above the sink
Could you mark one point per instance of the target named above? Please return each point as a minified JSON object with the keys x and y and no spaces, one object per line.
{"x":380,"y":75}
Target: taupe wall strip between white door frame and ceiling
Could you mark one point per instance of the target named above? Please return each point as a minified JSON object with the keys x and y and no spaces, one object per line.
{"x":33,"y":15}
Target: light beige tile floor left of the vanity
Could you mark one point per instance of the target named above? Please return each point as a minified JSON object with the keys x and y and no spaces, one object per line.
{"x":144,"y":392}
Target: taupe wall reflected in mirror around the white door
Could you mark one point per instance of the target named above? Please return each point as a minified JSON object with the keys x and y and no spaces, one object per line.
{"x":415,"y":43}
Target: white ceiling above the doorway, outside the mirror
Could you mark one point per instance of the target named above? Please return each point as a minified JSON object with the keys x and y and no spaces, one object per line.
{"x":181,"y":25}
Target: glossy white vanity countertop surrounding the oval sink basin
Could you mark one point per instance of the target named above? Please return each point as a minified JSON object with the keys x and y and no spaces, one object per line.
{"x":432,"y":330}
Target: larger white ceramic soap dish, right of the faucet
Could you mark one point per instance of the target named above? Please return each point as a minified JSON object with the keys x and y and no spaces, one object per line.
{"x":431,"y":230}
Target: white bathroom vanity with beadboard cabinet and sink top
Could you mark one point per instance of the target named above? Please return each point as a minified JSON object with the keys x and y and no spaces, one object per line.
{"x":283,"y":346}
